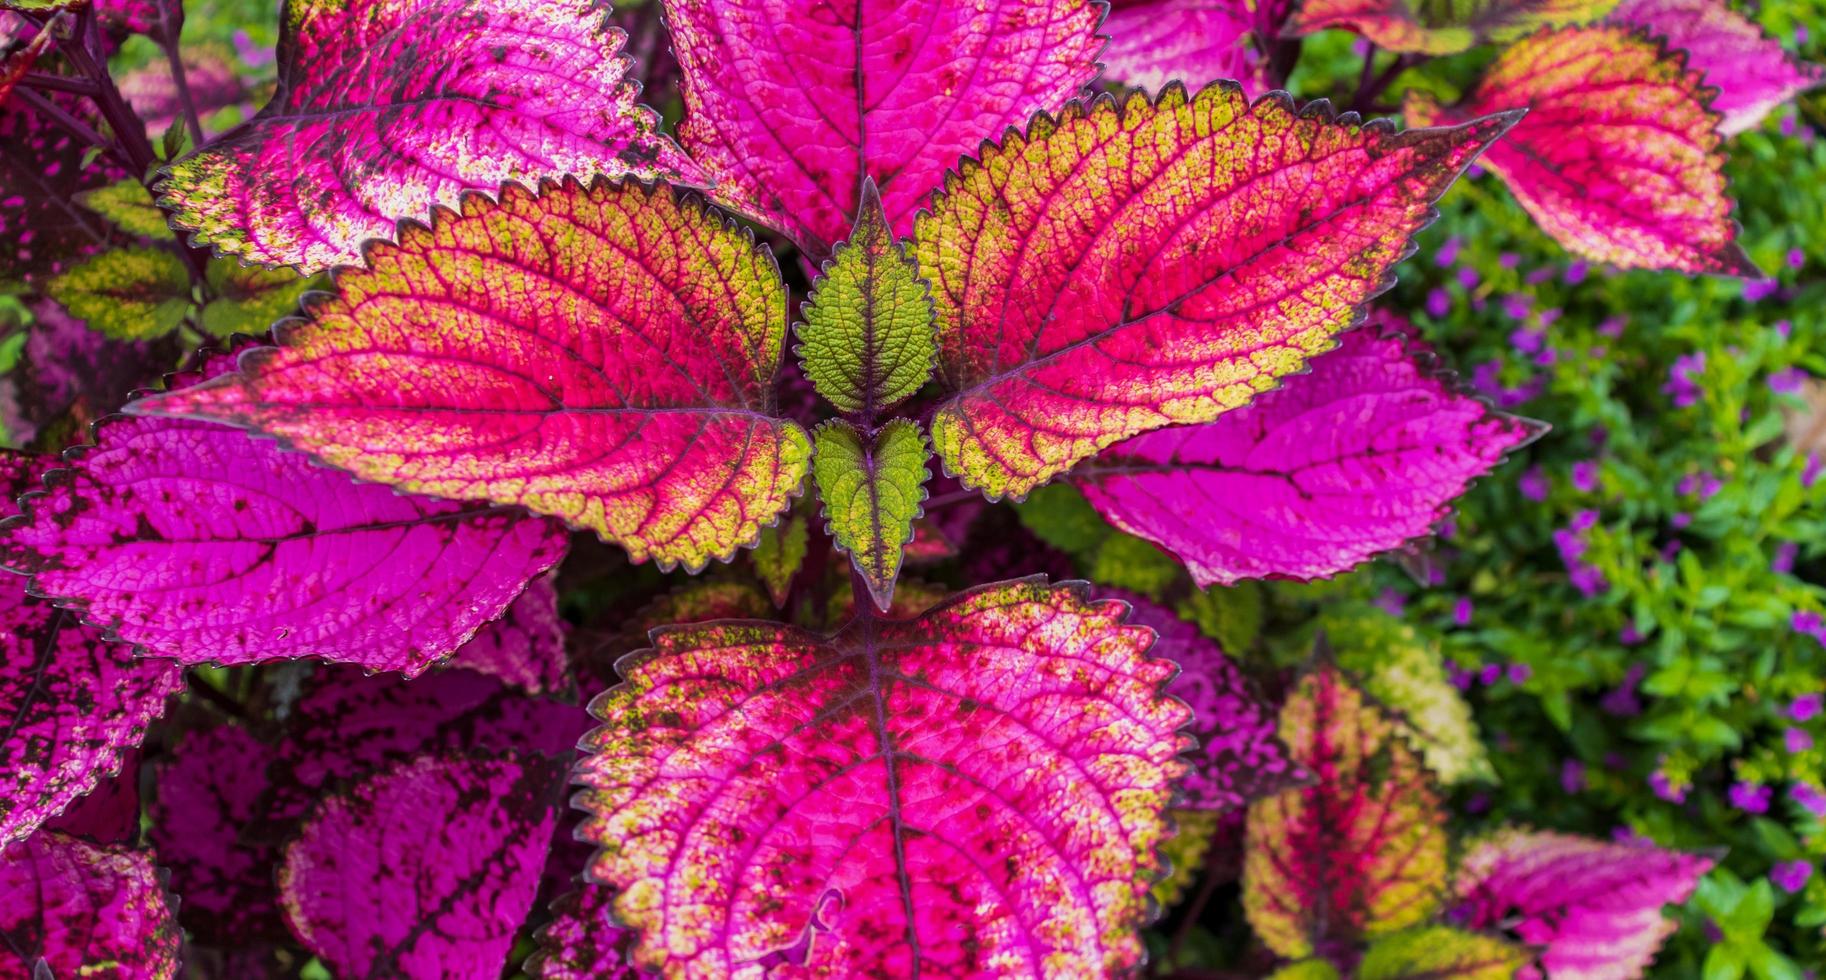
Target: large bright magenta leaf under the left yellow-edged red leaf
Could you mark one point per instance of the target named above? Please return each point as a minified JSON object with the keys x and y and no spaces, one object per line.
{"x":204,"y":545}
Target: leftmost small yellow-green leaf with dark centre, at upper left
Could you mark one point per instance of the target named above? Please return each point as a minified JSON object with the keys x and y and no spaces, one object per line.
{"x":127,"y":295}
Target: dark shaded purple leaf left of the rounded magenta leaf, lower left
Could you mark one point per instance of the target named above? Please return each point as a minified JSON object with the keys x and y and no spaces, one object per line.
{"x":207,"y":793}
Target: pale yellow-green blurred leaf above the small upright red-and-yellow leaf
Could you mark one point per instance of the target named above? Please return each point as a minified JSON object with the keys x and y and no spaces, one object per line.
{"x":1407,"y":672}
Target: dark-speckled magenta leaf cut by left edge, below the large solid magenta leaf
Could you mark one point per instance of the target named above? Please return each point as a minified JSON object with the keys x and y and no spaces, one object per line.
{"x":76,"y":704}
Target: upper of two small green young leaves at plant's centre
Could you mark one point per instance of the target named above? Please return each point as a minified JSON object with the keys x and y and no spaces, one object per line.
{"x":868,"y":335}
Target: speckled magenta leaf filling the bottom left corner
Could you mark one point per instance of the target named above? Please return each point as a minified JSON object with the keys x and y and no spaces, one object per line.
{"x":70,"y":908}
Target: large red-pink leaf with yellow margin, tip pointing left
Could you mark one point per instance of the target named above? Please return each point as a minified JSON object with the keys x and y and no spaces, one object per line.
{"x":598,"y":353}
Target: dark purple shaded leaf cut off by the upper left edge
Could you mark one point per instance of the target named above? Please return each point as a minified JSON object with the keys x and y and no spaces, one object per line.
{"x":43,"y":169}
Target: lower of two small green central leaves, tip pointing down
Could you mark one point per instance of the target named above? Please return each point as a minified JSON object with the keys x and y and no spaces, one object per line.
{"x":872,"y":495}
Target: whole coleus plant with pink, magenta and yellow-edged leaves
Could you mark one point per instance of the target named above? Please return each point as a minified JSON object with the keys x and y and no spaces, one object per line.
{"x":547,"y":315}
